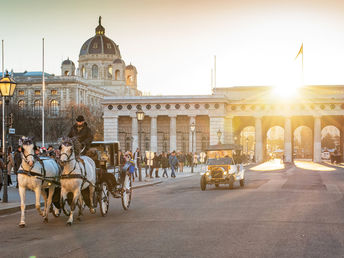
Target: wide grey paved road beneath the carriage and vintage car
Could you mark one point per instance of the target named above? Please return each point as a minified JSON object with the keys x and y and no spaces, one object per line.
{"x":293,"y":213}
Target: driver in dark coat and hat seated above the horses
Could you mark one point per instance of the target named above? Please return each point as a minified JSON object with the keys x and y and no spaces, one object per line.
{"x":82,"y":132}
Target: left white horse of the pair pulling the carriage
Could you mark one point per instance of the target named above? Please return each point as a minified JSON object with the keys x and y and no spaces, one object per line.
{"x":36,"y":174}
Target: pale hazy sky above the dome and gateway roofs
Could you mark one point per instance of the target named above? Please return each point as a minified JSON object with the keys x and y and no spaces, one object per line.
{"x":172,"y":43}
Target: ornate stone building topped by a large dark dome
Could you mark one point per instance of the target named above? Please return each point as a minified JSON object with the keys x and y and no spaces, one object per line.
{"x":101,"y":72}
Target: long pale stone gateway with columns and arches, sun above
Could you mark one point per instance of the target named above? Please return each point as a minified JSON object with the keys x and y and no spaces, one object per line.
{"x":223,"y":116}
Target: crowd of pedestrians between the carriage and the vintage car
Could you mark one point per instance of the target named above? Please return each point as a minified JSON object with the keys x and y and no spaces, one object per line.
{"x":176,"y":161}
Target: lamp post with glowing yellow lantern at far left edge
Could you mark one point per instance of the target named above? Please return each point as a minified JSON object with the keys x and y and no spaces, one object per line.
{"x":7,"y":87}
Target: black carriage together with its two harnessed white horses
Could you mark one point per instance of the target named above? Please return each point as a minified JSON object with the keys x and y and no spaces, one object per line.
{"x":83,"y":181}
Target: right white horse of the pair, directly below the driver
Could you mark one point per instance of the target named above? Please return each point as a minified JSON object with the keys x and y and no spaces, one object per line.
{"x":76,"y":176}
